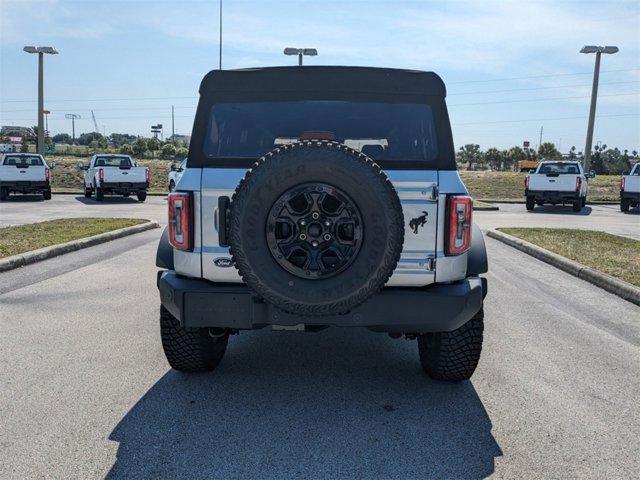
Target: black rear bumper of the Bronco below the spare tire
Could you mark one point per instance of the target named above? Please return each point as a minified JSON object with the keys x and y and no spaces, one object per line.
{"x":438,"y":308}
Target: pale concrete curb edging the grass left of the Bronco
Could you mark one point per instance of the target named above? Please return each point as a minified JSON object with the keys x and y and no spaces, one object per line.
{"x":34,"y":256}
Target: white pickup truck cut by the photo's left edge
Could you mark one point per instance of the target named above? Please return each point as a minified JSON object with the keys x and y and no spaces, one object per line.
{"x":25,"y":173}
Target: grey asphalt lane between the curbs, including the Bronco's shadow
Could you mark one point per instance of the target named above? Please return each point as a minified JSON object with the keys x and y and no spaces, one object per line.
{"x":86,"y":391}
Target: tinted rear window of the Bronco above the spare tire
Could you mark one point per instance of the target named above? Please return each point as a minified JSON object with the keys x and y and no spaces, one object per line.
{"x":383,"y":131}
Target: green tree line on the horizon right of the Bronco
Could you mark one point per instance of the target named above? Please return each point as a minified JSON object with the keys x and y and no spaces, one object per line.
{"x":604,"y":160}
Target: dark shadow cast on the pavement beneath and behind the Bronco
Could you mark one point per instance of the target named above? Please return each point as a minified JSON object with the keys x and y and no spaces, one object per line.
{"x":330,"y":404}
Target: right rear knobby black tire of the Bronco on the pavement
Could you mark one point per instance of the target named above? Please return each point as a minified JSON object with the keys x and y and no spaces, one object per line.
{"x":452,"y":356}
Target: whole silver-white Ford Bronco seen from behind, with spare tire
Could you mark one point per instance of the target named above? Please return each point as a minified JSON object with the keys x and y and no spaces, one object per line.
{"x":317,"y":197}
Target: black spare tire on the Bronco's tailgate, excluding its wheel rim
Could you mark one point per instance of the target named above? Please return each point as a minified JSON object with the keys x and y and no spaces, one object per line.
{"x":343,"y":168}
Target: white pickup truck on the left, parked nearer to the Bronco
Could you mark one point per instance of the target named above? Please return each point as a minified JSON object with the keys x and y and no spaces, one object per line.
{"x":114,"y":175}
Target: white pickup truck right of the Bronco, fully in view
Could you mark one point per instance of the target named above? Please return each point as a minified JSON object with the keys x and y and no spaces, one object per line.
{"x":557,"y":182}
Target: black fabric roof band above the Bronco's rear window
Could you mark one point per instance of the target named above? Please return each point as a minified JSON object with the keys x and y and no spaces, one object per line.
{"x":322,"y":81}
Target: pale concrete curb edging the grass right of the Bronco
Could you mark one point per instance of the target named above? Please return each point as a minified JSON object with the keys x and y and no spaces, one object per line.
{"x":620,"y":288}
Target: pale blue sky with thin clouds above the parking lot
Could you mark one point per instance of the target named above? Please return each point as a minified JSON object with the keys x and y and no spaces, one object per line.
{"x":510,"y":67}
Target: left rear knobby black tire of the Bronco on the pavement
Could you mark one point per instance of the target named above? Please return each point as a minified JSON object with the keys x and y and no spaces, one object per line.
{"x":190,"y":349}
